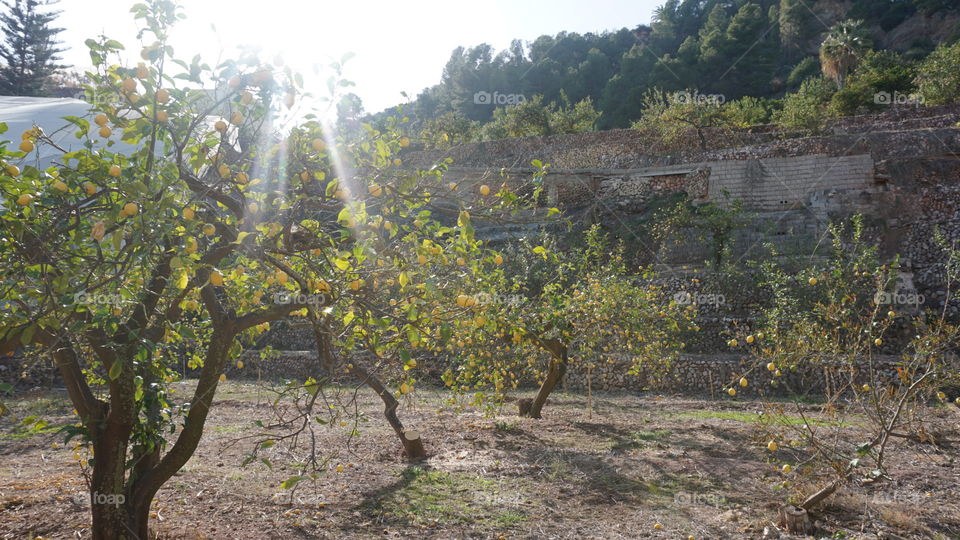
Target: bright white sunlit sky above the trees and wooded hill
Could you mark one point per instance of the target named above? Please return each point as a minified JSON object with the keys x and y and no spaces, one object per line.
{"x":399,"y":46}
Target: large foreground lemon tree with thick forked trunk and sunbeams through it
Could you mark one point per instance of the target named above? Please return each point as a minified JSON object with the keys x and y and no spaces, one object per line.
{"x":217,"y":223}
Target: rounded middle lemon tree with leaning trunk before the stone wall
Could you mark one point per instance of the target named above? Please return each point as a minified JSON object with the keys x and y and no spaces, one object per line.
{"x":534,"y":316}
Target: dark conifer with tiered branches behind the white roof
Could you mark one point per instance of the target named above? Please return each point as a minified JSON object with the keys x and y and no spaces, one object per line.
{"x":29,"y":53}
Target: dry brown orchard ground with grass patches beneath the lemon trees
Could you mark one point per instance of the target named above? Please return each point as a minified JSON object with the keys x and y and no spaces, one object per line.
{"x":698,"y":467}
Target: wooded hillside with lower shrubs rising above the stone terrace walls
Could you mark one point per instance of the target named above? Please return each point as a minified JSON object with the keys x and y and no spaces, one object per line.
{"x":728,"y":48}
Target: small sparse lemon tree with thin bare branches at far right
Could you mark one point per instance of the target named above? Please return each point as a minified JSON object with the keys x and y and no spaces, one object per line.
{"x":835,"y":318}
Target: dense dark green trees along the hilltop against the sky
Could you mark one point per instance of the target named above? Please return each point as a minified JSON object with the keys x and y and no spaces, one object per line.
{"x":735,"y":49}
